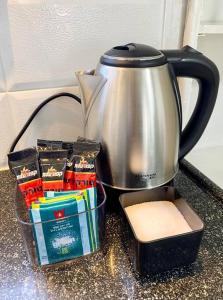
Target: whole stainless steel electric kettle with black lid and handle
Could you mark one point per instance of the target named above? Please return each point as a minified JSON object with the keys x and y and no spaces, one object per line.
{"x":131,"y":105}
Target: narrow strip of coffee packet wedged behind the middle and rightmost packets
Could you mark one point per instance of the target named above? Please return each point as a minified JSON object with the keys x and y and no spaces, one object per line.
{"x":69,"y":173}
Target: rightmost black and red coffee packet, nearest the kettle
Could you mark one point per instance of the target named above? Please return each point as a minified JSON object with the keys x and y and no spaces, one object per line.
{"x":84,"y":156}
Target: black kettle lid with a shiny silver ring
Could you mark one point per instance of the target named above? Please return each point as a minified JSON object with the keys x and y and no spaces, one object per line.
{"x":133,"y":55}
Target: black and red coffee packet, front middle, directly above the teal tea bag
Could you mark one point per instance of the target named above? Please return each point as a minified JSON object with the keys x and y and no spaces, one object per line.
{"x":53,"y":165}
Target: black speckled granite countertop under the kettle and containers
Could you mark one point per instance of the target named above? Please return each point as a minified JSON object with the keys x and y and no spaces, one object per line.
{"x":108,"y":274}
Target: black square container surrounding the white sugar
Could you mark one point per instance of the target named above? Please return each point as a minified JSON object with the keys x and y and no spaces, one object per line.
{"x":165,"y":253}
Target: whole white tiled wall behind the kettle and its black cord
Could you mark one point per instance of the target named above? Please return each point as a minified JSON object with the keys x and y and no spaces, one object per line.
{"x":42,"y":43}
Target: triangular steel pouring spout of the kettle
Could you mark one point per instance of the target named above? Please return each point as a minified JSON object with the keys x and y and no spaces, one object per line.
{"x":90,"y":85}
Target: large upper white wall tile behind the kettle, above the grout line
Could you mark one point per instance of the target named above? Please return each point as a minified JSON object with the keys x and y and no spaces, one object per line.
{"x":48,"y":40}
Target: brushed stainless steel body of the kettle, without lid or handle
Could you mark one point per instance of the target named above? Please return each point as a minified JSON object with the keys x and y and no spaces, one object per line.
{"x":134,"y":112}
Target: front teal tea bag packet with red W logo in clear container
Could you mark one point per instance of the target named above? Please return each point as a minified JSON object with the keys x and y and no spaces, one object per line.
{"x":63,"y":230}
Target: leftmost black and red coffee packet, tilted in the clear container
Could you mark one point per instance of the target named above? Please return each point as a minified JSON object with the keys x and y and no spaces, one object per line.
{"x":24,"y":165}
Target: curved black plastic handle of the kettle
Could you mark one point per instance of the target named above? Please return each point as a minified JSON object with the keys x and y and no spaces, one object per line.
{"x":188,"y":62}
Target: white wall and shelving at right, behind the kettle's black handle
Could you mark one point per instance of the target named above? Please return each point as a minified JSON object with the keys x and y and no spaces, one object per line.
{"x":207,"y":154}
